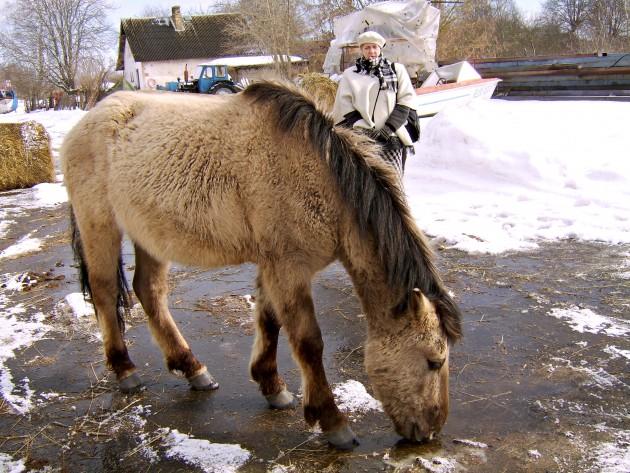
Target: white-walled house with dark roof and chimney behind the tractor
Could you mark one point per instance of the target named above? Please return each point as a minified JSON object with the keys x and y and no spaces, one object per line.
{"x":153,"y":51}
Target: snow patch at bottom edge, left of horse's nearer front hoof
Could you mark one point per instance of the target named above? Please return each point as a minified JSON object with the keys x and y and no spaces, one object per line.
{"x":210,"y":457}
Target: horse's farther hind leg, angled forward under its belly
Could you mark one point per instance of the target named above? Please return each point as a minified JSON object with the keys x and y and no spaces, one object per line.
{"x":151,"y":286}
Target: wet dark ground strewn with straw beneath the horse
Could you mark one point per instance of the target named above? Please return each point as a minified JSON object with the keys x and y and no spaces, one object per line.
{"x":529,"y":392}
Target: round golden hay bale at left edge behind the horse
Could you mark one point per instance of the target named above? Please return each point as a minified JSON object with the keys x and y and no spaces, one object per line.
{"x":25,"y":158}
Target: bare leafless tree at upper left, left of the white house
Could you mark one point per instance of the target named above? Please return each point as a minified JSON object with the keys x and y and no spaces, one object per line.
{"x":55,"y":37}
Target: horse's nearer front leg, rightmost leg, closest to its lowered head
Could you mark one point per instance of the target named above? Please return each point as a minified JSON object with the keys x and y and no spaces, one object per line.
{"x":294,"y":307}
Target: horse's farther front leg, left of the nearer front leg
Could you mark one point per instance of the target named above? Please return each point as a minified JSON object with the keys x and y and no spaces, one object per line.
{"x":263,"y":365}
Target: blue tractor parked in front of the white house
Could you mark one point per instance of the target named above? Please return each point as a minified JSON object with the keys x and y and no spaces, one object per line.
{"x":207,"y":79}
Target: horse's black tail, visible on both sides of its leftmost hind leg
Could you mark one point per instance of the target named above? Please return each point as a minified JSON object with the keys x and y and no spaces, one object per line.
{"x":123,"y":299}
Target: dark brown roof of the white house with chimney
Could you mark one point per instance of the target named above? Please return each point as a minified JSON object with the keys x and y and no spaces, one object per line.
{"x":155,"y":39}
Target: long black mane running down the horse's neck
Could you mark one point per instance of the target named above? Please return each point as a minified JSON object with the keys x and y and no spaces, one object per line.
{"x":369,"y":187}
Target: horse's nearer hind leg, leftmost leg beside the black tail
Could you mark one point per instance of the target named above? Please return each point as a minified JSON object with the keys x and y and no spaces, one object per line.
{"x":100,"y":245}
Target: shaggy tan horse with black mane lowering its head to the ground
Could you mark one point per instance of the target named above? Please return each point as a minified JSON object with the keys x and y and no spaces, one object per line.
{"x":262,"y":176}
